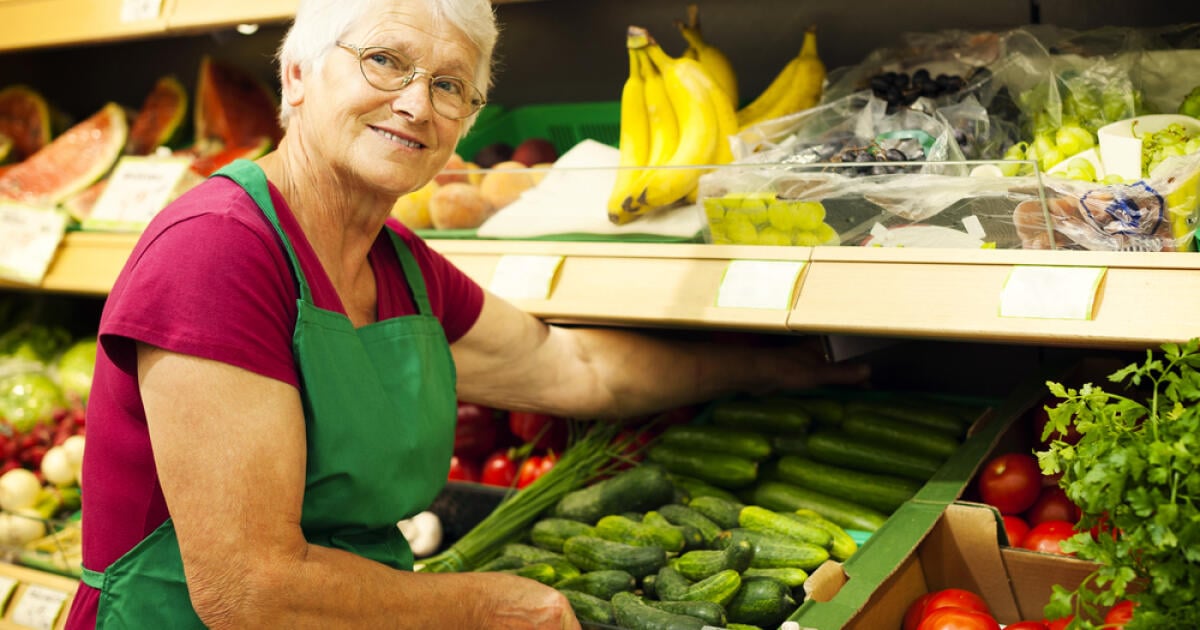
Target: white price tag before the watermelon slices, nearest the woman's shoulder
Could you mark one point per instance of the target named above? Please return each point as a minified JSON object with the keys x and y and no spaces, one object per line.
{"x":136,"y":191}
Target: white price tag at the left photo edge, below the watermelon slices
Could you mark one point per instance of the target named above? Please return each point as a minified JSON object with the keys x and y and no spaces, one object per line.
{"x":31,"y":237}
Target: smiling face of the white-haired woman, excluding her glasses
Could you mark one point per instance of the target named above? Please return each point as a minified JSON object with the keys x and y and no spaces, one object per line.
{"x":392,"y":141}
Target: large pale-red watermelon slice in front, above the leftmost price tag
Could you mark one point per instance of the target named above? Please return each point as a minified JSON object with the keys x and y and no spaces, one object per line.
{"x":73,"y":163}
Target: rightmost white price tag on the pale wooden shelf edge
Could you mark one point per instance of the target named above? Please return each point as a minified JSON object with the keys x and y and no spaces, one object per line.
{"x":1052,"y":292}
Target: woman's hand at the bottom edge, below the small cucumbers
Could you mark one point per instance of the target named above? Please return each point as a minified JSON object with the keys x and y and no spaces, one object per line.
{"x":521,"y":603}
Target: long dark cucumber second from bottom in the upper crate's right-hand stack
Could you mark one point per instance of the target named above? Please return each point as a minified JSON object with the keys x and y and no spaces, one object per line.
{"x":886,"y":494}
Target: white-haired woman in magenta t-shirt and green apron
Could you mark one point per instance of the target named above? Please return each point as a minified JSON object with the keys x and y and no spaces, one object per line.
{"x":280,"y":362}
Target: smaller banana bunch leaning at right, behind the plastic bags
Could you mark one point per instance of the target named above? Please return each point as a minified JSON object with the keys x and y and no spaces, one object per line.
{"x":796,"y":88}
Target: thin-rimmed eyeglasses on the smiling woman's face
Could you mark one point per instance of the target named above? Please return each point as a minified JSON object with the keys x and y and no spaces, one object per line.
{"x":391,"y":71}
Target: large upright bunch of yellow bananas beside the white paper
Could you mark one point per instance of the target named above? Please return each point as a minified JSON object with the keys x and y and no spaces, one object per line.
{"x":674,"y":116}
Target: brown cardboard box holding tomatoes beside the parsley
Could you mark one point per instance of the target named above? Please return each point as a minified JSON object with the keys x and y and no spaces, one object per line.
{"x":963,"y":550}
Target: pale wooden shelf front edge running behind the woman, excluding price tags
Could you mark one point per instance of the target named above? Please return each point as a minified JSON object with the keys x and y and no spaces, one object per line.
{"x":949,"y":295}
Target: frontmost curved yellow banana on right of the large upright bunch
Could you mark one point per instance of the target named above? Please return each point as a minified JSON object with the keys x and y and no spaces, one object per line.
{"x":693,"y":97}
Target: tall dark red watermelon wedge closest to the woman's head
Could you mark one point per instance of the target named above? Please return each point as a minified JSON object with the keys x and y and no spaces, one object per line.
{"x":233,"y":107}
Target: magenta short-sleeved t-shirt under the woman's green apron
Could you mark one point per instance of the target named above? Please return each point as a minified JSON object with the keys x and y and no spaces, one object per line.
{"x":209,"y":278}
